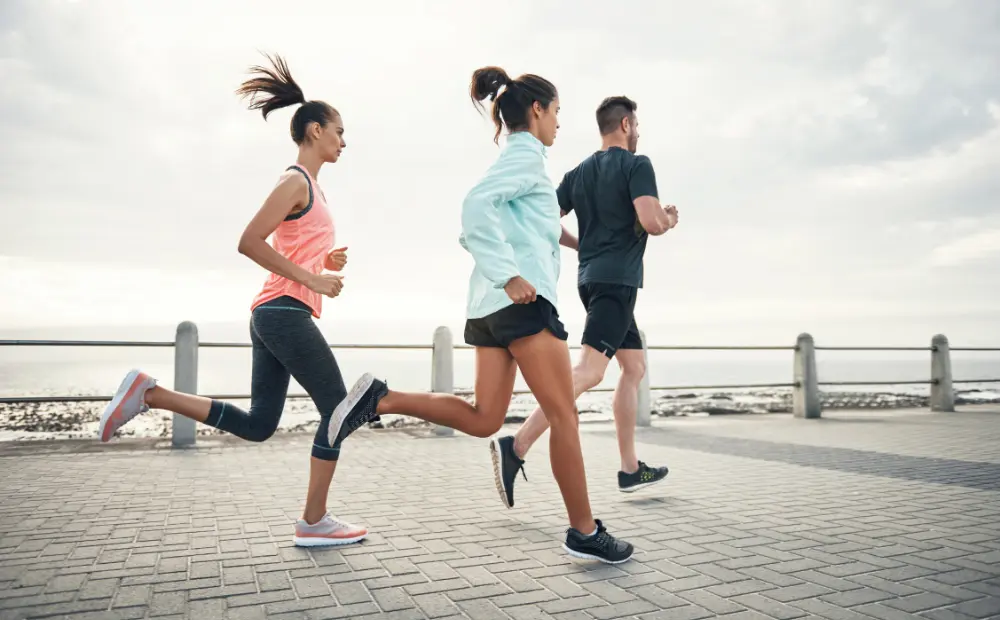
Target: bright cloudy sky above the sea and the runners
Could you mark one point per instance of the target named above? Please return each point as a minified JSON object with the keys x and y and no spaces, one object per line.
{"x":834,"y":163}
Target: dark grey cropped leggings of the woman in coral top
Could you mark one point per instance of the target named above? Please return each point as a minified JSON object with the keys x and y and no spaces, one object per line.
{"x":286,"y":343}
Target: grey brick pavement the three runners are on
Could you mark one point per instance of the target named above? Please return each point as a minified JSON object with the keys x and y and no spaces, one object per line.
{"x":883,"y":515}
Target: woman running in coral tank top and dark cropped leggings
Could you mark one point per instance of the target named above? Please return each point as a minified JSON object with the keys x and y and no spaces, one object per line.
{"x":286,"y":341}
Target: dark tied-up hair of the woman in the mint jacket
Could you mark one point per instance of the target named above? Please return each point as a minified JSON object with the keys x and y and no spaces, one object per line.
{"x":510,"y":108}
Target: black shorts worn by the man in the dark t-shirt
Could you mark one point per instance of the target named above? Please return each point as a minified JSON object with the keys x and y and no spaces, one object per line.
{"x":610,"y":318}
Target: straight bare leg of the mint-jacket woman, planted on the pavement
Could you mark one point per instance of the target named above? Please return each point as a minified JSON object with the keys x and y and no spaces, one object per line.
{"x":545,"y":365}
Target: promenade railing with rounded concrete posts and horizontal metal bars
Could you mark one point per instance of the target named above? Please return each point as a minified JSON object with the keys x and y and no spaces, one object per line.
{"x":805,"y":383}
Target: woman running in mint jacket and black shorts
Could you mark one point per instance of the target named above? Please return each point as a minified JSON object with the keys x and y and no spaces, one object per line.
{"x":511,"y":227}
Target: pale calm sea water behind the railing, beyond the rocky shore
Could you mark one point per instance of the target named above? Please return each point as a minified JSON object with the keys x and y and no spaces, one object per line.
{"x":78,"y":371}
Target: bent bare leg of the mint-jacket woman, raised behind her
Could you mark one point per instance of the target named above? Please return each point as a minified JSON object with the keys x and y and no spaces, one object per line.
{"x":495,"y":374}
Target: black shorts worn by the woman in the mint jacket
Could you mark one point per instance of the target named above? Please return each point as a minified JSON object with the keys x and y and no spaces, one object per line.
{"x":513,"y":322}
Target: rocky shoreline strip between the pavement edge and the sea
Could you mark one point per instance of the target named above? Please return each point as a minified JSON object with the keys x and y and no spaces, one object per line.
{"x":76,"y":420}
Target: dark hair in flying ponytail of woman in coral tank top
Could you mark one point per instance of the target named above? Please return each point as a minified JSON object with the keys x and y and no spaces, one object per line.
{"x":272,"y":88}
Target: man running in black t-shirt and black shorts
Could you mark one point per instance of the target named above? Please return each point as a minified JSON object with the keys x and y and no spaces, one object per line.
{"x":613,"y":193}
